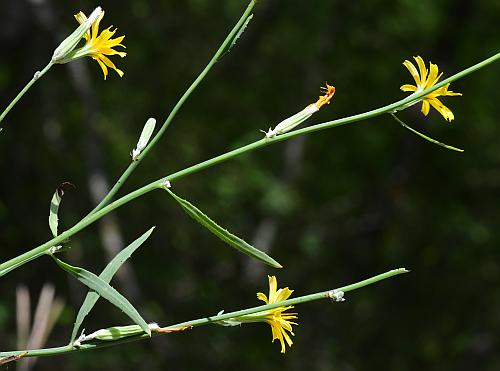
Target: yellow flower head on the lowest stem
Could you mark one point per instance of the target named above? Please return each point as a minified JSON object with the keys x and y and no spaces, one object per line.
{"x":279,"y":321}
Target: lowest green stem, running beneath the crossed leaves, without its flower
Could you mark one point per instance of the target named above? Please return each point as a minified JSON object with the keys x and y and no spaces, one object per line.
{"x":205,"y":320}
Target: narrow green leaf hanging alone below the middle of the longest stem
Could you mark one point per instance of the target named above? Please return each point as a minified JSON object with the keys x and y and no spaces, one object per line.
{"x":224,"y":234}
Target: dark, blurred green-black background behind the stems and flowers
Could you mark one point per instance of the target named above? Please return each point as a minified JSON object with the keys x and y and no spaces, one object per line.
{"x":333,"y":207}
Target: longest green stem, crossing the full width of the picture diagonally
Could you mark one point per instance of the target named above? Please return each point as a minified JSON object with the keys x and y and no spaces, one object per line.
{"x":42,"y":249}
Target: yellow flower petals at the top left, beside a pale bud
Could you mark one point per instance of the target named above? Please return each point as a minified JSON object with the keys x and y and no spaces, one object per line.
{"x":98,"y":46}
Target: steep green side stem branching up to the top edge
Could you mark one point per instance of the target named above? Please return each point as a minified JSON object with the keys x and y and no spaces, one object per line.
{"x":222,"y":49}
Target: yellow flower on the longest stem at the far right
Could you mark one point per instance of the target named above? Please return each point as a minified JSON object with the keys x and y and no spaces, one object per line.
{"x":425,"y":79}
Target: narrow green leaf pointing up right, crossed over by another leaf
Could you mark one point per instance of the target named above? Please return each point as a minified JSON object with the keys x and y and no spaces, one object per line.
{"x":106,"y":275}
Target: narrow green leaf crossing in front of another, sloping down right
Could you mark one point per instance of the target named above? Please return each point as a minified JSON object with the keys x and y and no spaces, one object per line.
{"x":102,"y":288}
